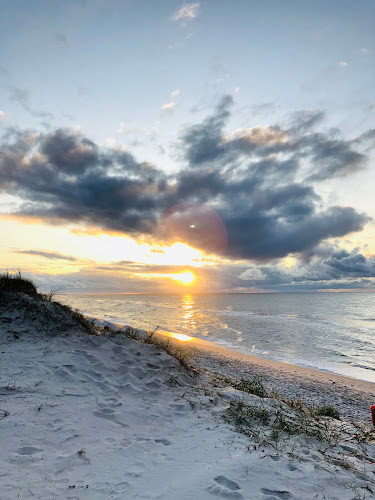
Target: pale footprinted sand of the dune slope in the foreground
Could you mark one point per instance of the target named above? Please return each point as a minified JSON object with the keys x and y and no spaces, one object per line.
{"x":97,"y":417}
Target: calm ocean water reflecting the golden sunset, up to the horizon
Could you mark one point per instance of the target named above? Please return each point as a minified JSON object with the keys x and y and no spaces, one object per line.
{"x":325,"y":331}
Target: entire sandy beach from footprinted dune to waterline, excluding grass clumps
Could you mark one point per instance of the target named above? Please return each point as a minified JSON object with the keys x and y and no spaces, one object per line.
{"x":103,"y":415}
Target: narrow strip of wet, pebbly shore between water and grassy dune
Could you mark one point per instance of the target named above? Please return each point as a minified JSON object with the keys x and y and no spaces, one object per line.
{"x":353,"y":397}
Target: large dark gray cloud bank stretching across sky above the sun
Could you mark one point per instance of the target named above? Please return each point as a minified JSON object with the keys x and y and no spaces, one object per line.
{"x":237,"y":195}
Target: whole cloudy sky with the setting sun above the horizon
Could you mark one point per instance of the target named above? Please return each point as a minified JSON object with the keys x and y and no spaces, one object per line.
{"x":168,"y":147}
